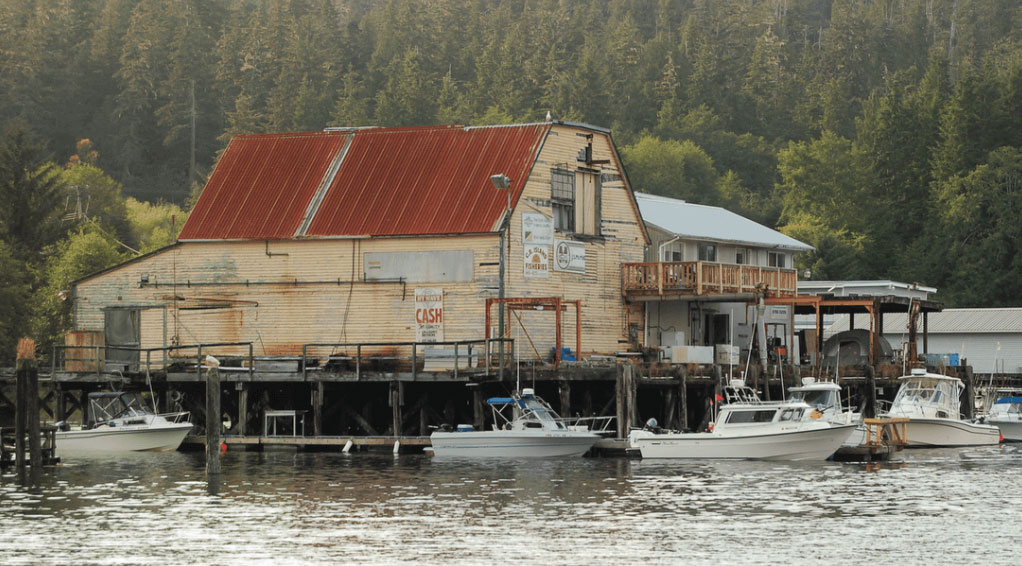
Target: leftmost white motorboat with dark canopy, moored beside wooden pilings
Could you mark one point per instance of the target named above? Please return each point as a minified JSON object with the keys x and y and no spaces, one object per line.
{"x":122,"y":422}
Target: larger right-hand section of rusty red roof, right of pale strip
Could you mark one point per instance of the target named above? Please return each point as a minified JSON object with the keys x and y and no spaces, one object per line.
{"x":422,"y":181}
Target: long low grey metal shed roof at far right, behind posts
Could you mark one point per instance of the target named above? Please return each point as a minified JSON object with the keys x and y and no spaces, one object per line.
{"x":949,"y":321}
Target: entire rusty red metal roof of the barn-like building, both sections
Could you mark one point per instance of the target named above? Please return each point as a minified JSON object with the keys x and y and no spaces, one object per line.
{"x":391,"y":181}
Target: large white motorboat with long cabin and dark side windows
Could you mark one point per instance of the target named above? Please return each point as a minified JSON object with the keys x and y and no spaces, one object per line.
{"x":751,"y":430}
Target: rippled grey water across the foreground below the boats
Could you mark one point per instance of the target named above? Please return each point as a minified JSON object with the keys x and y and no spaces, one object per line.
{"x":286,"y":508}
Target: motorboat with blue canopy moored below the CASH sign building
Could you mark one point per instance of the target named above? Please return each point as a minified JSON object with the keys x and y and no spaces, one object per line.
{"x":533,"y":431}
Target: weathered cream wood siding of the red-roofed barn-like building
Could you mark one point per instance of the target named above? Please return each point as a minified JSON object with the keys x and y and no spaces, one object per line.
{"x":284,"y":295}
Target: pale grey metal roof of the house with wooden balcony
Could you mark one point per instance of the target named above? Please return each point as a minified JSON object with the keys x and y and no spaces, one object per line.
{"x":711,"y":223}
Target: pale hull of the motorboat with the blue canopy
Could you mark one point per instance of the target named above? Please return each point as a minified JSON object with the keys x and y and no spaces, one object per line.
{"x":513,"y":444}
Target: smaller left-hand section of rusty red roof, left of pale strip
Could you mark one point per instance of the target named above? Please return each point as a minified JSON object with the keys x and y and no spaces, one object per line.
{"x":263,"y":185}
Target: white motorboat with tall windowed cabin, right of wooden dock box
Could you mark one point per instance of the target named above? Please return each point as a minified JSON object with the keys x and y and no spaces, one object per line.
{"x":932,"y":403}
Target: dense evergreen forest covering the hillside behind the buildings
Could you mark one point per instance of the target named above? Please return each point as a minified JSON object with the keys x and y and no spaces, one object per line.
{"x":886,"y":133}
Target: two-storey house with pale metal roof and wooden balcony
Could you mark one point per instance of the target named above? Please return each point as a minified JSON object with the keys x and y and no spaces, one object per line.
{"x":704,"y":268}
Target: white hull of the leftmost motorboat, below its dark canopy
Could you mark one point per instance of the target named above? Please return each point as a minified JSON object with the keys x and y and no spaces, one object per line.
{"x":126,"y":439}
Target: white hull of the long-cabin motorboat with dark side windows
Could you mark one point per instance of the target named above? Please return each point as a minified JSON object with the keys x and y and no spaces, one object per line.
{"x":817,"y":444}
